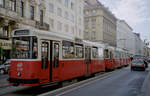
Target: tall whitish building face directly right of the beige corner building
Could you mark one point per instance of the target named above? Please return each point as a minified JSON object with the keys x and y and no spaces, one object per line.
{"x":125,"y":36}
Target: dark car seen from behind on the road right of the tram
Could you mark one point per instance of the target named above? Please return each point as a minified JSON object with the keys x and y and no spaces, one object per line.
{"x":138,"y":64}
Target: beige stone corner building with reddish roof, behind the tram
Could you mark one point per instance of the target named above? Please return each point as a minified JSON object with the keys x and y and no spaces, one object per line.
{"x":100,"y":23}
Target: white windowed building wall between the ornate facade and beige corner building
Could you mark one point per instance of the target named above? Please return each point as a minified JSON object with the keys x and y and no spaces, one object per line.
{"x":71,"y":20}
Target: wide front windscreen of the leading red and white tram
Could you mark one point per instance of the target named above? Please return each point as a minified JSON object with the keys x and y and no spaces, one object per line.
{"x":24,"y":48}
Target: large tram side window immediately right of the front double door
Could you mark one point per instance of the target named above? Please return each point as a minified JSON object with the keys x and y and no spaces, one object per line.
{"x":68,"y":50}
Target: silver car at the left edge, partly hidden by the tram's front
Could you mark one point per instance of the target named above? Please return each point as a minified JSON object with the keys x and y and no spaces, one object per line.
{"x":4,"y":68}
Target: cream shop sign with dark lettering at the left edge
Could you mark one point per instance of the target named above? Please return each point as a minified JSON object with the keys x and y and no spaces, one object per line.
{"x":5,"y":44}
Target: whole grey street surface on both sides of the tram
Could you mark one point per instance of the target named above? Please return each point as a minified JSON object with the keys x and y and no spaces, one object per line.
{"x":121,"y":82}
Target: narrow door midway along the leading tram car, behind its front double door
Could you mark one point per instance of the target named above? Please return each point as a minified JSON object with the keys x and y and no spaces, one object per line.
{"x":88,"y":58}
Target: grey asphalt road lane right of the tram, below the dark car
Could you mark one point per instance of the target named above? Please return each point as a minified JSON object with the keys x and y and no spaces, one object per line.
{"x":121,"y":83}
